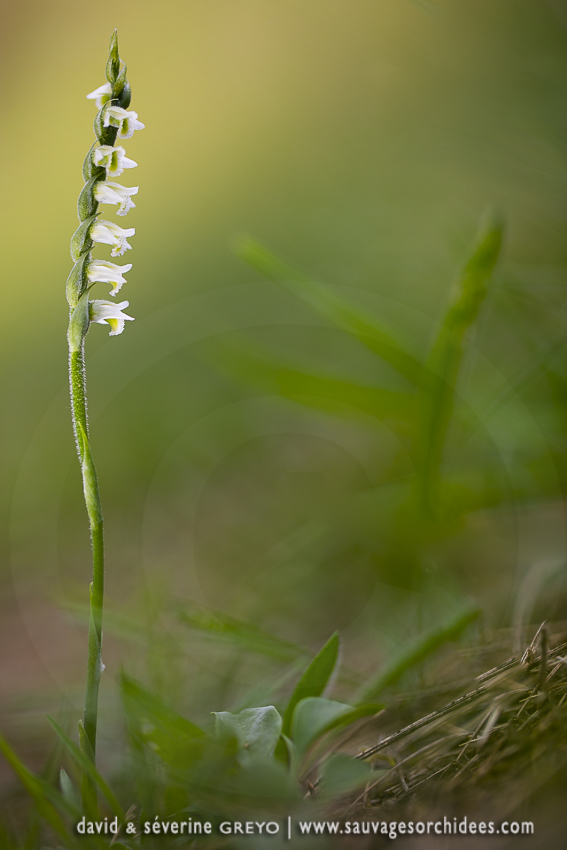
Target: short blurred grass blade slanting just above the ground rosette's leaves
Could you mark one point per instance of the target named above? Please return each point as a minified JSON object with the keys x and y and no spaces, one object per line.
{"x":219,"y":626}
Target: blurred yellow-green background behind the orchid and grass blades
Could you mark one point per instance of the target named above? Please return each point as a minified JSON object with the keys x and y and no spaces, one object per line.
{"x":362,"y":140}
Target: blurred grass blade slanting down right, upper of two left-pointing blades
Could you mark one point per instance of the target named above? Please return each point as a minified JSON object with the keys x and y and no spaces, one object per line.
{"x":329,"y":305}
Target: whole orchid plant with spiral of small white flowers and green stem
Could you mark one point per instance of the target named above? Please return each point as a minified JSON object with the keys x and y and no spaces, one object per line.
{"x":104,"y":161}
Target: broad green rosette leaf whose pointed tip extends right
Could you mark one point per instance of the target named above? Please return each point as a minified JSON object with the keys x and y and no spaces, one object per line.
{"x":314,"y":717}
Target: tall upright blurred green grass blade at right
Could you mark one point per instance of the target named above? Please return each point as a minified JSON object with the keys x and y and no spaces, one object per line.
{"x":442,"y":367}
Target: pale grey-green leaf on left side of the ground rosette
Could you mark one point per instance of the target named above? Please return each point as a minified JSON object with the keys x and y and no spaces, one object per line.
{"x":257,"y":731}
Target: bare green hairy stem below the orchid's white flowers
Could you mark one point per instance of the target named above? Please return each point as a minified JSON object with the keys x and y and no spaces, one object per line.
{"x":92,"y":501}
